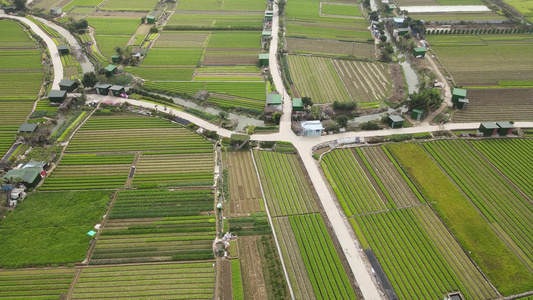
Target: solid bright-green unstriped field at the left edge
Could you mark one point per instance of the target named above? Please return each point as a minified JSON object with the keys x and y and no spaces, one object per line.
{"x":51,"y":228}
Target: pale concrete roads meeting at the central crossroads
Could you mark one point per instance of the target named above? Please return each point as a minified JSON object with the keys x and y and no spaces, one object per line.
{"x":304,"y":145}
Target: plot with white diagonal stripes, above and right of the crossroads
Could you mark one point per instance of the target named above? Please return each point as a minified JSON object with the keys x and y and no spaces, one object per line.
{"x":366,"y":82}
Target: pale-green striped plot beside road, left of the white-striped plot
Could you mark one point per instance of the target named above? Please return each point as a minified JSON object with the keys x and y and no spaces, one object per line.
{"x":316,"y":77}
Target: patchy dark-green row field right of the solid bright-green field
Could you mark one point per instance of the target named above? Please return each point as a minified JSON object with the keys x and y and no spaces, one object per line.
{"x":157,"y":225}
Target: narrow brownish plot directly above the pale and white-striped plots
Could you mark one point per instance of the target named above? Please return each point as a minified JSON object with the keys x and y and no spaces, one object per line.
{"x":315,"y":46}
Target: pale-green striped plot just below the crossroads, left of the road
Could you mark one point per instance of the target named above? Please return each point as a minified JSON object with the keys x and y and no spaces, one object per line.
{"x":286,"y":187}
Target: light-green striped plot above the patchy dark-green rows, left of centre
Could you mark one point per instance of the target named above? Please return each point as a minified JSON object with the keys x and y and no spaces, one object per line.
{"x":180,"y":169}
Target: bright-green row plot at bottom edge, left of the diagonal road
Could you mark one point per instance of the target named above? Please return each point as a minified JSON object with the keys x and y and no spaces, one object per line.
{"x":329,"y":279}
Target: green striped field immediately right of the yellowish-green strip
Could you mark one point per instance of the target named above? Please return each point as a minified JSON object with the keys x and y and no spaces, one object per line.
{"x":492,"y":194}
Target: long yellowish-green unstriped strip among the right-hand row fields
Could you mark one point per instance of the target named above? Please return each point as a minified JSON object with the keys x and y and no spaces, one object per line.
{"x":502,"y":267}
